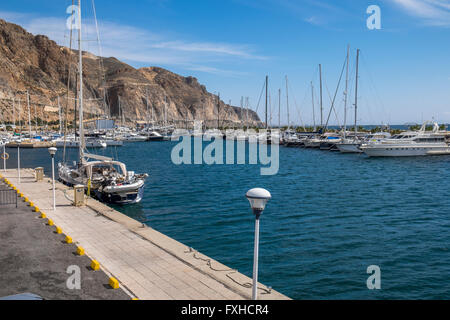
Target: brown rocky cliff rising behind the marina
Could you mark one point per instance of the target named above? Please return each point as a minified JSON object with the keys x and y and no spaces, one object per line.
{"x":35,"y":67}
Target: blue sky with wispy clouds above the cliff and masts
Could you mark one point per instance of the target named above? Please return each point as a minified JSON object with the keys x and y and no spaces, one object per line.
{"x":230,"y":45}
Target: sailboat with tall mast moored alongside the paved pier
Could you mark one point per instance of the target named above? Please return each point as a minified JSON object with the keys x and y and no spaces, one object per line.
{"x":108,"y":180}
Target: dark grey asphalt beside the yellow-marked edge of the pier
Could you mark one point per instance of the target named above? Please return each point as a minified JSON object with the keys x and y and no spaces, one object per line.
{"x":34,"y":259}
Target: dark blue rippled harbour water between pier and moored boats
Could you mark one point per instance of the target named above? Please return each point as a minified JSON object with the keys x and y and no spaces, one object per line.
{"x":331,"y":216}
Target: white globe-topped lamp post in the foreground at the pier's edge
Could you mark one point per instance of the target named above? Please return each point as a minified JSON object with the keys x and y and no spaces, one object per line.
{"x":258,"y":199}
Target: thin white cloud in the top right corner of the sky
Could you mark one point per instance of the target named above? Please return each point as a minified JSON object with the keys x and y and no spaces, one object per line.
{"x":433,"y":12}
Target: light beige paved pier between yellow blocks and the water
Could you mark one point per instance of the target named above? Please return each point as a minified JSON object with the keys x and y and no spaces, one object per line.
{"x":147,"y":264}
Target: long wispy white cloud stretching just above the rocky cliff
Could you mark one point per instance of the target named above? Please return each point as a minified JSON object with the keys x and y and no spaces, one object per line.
{"x":137,"y":45}
